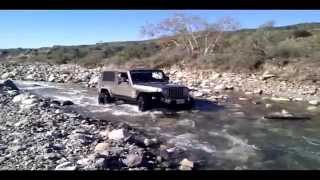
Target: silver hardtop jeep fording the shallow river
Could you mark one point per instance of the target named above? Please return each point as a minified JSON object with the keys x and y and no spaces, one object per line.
{"x":145,"y":87}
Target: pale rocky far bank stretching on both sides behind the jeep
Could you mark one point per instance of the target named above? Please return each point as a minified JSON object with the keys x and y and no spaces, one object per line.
{"x":204,"y":83}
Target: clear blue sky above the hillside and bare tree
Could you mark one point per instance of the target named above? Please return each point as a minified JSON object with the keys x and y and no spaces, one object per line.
{"x":45,"y":28}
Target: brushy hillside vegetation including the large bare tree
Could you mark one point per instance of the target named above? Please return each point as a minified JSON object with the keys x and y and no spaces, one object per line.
{"x":190,"y":41}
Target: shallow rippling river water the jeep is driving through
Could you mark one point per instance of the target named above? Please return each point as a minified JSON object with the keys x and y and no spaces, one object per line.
{"x":230,"y":135}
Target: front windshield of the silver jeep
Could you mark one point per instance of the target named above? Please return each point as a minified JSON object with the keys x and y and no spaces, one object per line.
{"x":141,"y":76}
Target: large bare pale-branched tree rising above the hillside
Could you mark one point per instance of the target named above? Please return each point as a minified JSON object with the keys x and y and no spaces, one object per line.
{"x":192,"y":33}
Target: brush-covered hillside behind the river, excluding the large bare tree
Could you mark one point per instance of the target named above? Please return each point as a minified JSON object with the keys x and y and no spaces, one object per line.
{"x":292,"y":51}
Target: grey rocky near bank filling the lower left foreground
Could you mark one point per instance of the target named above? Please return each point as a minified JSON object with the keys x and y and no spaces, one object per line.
{"x":43,"y":134}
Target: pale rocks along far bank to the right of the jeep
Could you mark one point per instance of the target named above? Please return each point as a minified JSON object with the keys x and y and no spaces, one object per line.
{"x":208,"y":83}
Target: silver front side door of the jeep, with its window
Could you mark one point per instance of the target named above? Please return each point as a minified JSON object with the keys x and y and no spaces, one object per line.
{"x":123,"y":89}
